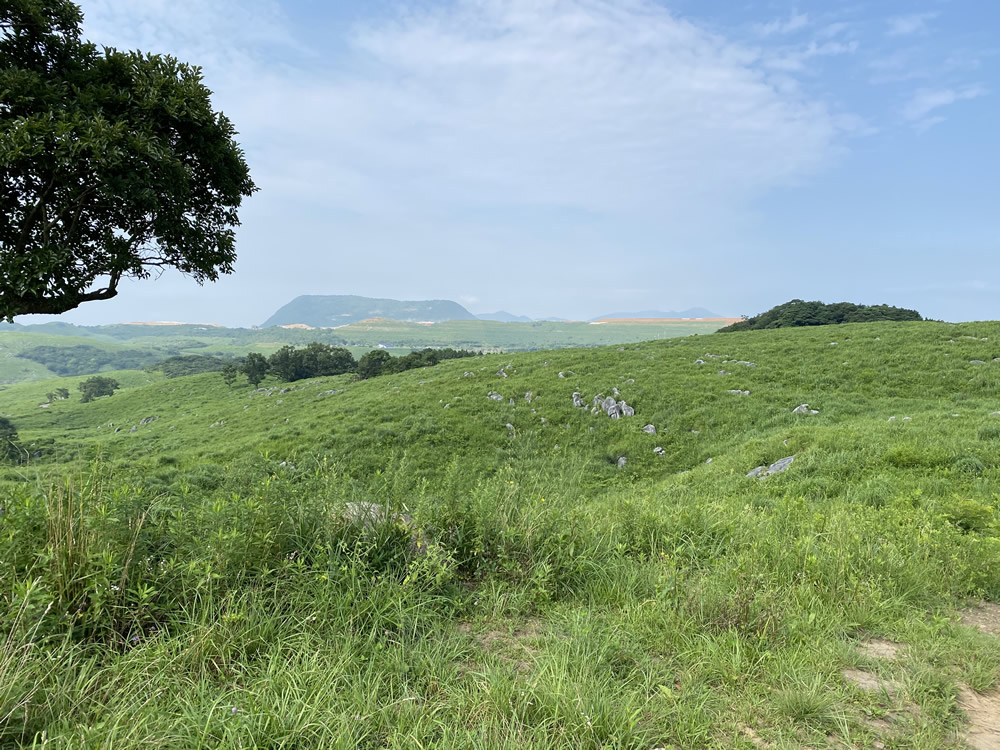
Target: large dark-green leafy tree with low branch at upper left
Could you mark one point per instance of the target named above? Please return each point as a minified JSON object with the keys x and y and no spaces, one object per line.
{"x":112,"y":164}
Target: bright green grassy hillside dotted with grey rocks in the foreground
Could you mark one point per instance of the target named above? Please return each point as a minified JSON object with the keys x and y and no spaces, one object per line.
{"x":214,"y":578}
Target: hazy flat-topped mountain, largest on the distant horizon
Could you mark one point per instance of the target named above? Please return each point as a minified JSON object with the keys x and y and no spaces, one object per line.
{"x":329,"y":311}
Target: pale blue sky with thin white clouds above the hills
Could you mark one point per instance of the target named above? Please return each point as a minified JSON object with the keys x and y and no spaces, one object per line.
{"x":576,"y":157}
